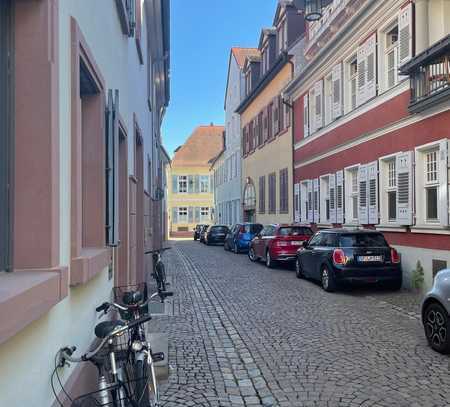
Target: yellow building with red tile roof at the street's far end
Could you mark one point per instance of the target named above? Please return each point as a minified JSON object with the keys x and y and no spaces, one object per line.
{"x":191,"y":188}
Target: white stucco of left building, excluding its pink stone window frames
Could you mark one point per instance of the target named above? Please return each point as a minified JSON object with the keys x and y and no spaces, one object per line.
{"x":27,"y":358}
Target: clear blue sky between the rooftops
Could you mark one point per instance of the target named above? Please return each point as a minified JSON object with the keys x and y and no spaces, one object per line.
{"x":202,"y":33}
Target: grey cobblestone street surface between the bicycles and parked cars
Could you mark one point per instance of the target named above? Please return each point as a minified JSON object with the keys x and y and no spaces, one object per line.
{"x":244,"y":335}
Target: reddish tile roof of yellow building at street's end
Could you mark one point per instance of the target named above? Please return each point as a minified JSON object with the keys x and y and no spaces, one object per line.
{"x":204,"y":144}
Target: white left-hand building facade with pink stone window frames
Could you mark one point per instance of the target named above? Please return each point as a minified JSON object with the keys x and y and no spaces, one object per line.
{"x":90,"y":86}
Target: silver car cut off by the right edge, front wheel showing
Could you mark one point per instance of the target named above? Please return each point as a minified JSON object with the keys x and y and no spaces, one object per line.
{"x":436,"y":311}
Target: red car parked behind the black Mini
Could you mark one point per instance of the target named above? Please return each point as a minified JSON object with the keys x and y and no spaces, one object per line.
{"x":277,"y":243}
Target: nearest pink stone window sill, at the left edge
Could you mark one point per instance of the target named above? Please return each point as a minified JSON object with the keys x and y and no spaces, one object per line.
{"x":28,"y":295}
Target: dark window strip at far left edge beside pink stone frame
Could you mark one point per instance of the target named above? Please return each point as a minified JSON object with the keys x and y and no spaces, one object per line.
{"x":5,"y":138}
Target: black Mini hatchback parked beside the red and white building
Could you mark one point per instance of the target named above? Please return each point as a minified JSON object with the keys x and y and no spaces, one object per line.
{"x":339,"y":255}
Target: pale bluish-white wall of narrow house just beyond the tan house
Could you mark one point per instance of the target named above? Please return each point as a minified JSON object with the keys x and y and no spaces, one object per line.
{"x":231,"y":190}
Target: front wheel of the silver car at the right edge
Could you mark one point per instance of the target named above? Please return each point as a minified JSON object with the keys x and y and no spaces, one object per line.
{"x":436,"y":327}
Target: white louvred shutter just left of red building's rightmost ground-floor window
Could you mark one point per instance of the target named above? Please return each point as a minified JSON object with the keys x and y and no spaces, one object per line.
{"x":404,"y":168}
